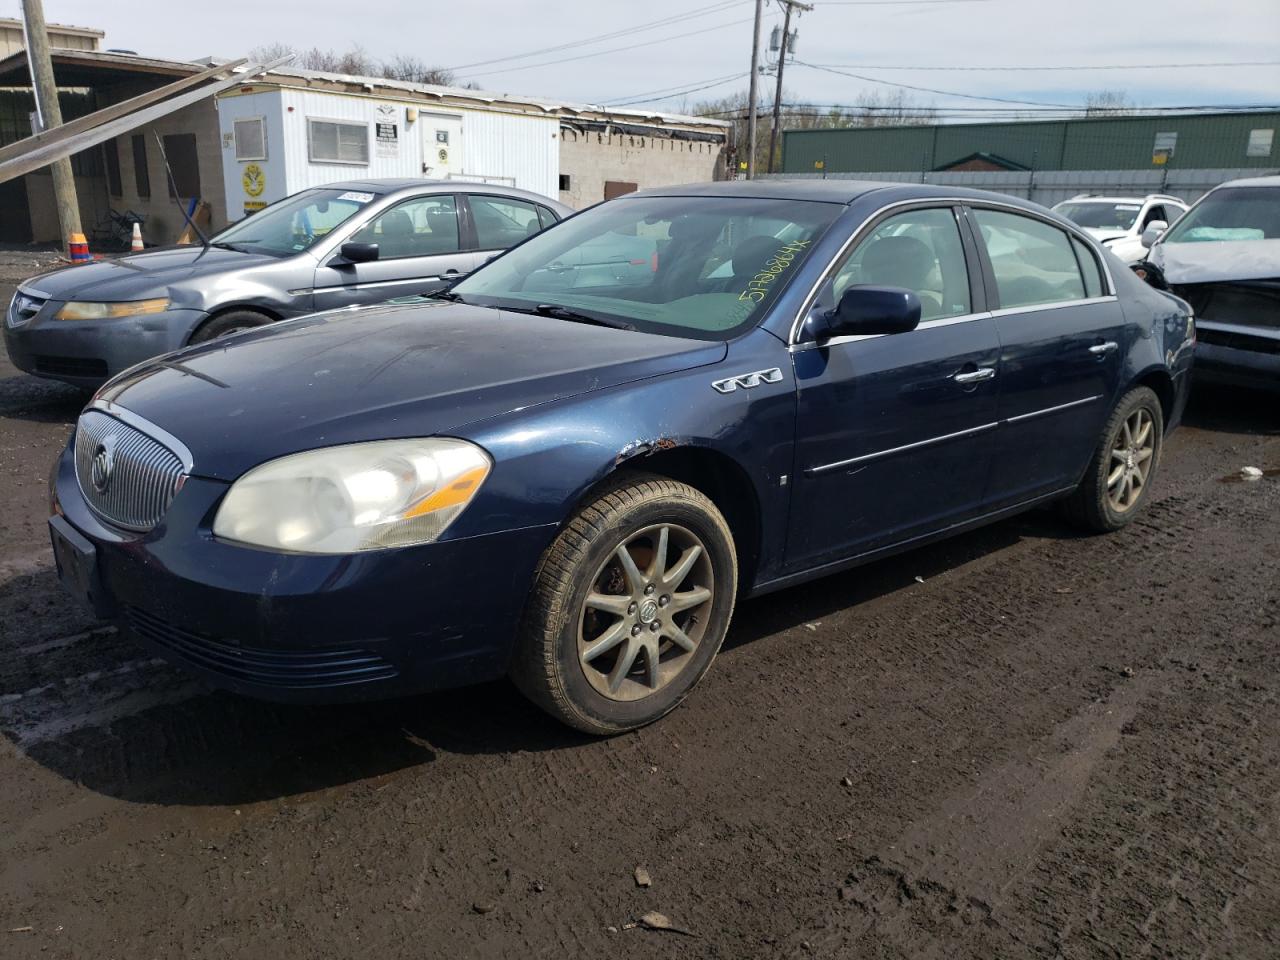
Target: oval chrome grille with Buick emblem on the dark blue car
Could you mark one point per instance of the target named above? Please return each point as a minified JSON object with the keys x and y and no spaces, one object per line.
{"x":127,"y":477}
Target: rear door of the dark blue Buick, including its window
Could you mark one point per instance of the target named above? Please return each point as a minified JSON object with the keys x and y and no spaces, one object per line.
{"x":1062,"y":342}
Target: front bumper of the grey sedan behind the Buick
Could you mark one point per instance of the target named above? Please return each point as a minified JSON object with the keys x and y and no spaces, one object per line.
{"x":88,"y":354}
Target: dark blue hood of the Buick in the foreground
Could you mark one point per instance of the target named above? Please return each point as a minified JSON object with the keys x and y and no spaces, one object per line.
{"x":381,"y":373}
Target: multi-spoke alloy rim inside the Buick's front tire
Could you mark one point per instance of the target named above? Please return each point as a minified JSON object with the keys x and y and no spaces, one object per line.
{"x":646,"y":612}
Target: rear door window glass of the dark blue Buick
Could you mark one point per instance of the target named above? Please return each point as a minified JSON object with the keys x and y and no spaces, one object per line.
{"x":1032,"y":260}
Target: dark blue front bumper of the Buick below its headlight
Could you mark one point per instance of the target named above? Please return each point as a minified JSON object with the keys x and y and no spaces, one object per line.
{"x":298,"y":628}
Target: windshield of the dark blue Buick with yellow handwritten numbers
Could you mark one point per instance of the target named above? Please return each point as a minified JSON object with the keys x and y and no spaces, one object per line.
{"x":691,"y":267}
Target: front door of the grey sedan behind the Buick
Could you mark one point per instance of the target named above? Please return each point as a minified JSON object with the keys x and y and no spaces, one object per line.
{"x":419,"y":252}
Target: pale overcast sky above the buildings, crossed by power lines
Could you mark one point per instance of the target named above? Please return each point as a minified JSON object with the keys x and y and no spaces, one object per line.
{"x":711,"y":42}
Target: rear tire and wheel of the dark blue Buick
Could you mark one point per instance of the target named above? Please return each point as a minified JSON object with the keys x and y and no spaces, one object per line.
{"x":1124,"y":465}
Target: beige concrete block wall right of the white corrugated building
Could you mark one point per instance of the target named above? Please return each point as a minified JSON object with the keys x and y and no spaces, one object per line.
{"x":591,"y":158}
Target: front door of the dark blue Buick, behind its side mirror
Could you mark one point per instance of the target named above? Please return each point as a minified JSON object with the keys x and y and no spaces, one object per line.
{"x":894,"y":432}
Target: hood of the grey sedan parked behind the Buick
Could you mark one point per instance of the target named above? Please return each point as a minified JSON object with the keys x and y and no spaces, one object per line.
{"x":140,"y":275}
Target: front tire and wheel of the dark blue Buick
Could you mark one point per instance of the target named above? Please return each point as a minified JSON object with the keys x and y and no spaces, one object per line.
{"x":629,"y":609}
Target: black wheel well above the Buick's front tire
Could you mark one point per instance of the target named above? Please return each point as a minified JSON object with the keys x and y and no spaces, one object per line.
{"x":724,"y":482}
